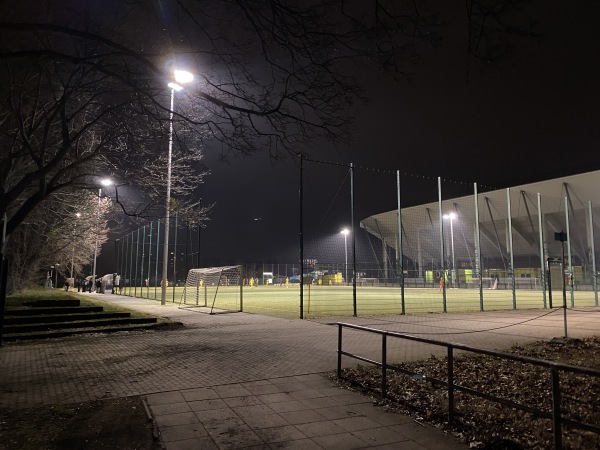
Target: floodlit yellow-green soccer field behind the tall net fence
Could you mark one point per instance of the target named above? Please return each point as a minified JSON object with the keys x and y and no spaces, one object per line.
{"x":337,"y":301}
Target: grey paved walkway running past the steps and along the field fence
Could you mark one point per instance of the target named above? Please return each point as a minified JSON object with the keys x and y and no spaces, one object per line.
{"x":231,"y":381}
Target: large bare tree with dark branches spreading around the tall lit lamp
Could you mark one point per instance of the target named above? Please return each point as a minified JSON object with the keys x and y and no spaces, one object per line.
{"x":84,"y":91}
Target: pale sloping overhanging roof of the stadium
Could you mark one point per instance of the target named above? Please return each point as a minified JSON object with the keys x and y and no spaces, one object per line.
{"x":422,"y":227}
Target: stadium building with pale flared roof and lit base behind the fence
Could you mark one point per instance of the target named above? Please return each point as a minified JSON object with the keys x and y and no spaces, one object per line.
{"x":514,"y":238}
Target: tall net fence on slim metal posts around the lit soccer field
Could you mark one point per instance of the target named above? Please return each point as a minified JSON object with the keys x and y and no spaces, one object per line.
{"x":380,"y":242}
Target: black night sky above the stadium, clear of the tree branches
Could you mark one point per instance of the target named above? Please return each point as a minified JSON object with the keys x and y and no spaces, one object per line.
{"x":529,"y":117}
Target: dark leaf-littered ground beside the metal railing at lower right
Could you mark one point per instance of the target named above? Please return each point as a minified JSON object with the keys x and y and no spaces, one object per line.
{"x":482,"y":423}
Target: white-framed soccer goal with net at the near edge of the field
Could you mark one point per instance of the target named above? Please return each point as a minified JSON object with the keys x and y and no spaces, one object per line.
{"x":213,"y":290}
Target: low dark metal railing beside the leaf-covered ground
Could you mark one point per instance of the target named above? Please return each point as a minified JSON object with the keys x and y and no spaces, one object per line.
{"x":554,"y":368}
